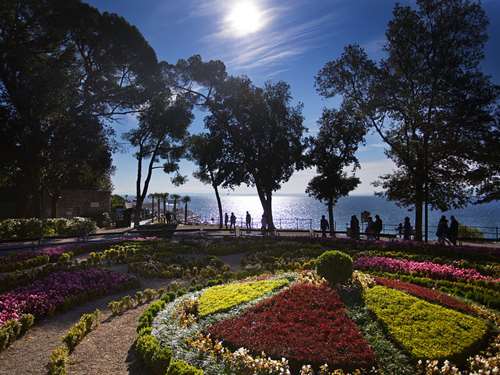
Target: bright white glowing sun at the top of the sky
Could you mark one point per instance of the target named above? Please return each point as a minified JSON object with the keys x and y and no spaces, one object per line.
{"x":245,"y":18}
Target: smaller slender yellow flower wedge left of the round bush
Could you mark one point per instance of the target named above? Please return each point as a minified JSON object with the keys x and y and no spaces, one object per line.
{"x":224,"y":297}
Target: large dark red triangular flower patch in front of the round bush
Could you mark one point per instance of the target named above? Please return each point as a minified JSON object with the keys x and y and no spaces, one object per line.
{"x":306,"y":324}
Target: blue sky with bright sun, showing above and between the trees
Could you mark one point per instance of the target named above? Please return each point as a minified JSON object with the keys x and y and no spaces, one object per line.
{"x":268,"y":40}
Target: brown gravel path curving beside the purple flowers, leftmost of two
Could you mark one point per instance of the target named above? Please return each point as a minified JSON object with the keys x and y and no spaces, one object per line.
{"x":30,"y":354}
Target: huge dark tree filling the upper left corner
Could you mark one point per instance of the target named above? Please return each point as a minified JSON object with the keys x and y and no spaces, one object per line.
{"x":56,"y":69}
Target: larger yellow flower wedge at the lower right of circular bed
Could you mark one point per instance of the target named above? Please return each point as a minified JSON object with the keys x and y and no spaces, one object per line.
{"x":426,"y":330}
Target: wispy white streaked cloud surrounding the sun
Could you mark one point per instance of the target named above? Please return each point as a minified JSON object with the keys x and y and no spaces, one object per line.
{"x":282,"y":37}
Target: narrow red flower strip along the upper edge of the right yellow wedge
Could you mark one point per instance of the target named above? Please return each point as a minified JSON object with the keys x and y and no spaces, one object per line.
{"x":426,"y":293}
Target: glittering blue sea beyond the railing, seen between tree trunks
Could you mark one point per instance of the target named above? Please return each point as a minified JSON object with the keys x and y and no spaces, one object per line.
{"x":303,"y":212}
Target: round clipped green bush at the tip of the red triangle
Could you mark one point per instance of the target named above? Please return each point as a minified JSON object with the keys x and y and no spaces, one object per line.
{"x":334,"y":266}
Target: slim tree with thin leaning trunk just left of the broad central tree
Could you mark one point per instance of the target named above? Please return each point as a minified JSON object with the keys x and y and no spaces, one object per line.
{"x":206,"y":151}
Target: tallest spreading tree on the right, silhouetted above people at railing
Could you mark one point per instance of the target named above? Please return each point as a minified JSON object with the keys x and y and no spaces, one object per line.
{"x":427,"y":100}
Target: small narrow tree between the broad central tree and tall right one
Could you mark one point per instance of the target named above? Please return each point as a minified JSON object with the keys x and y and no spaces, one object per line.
{"x":331,"y":151}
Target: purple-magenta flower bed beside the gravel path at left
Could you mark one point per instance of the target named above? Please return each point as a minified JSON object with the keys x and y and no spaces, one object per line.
{"x":59,"y":290}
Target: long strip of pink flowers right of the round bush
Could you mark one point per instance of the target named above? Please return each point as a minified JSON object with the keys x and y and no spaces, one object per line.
{"x":433,"y":270}
